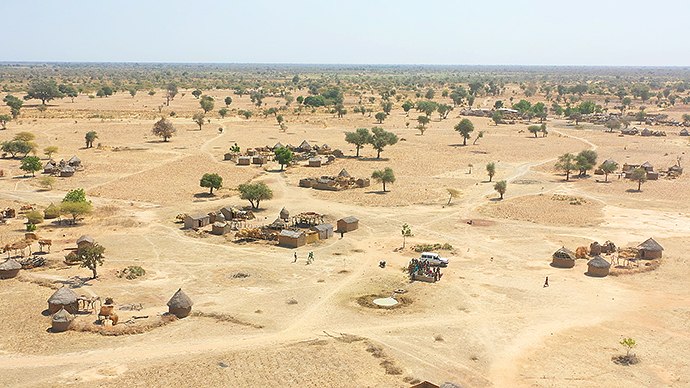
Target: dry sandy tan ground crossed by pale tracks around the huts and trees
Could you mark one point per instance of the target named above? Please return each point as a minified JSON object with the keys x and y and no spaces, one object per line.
{"x":487,"y":323}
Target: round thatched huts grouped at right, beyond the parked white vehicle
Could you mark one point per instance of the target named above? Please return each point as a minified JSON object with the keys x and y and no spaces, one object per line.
{"x":599,"y":266}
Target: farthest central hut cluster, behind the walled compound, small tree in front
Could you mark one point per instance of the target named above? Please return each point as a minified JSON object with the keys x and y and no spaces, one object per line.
{"x":316,"y":156}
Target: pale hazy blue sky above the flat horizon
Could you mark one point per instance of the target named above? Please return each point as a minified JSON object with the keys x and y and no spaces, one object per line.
{"x":498,"y":32}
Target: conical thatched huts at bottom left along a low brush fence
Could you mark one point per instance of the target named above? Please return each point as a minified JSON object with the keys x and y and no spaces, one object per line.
{"x":63,"y":305}
